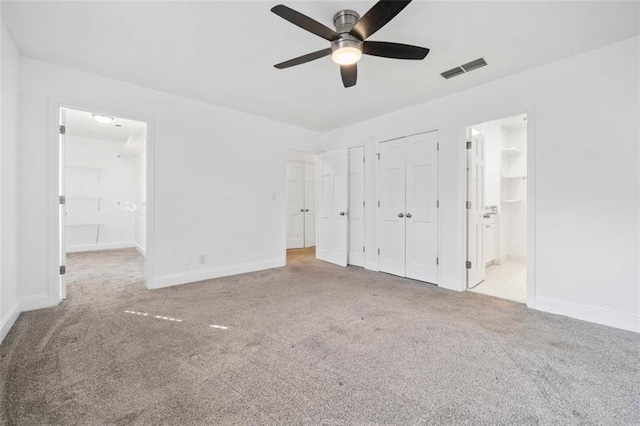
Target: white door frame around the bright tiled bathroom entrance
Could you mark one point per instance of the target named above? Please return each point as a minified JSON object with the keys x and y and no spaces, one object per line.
{"x":529,"y":110}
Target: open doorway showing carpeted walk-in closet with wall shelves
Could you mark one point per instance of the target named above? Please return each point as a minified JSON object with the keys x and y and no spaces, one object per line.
{"x":103,"y":193}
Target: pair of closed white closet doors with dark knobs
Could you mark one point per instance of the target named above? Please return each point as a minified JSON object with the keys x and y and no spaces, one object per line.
{"x":408,"y":209}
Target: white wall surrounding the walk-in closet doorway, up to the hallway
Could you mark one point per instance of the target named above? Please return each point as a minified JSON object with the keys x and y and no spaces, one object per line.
{"x":220,"y":179}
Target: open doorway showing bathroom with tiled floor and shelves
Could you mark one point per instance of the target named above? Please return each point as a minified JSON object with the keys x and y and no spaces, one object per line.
{"x":497,"y":208}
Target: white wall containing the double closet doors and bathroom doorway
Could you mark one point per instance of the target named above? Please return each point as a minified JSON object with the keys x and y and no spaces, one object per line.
{"x":583,"y":112}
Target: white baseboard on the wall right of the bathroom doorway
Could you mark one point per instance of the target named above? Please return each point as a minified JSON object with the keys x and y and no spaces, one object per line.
{"x":589,"y":313}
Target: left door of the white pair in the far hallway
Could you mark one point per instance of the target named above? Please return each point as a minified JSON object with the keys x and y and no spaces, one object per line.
{"x":295,"y":204}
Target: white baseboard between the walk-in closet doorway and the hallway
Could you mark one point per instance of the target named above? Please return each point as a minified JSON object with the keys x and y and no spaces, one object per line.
{"x":207,"y":274}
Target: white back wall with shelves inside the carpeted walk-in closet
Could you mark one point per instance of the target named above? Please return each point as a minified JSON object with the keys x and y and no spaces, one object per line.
{"x":98,"y":168}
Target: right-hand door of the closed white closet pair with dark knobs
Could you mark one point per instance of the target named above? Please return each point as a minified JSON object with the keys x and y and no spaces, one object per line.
{"x":421,"y":214}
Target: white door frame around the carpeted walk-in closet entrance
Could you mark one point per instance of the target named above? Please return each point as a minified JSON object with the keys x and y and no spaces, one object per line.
{"x":54,"y":244}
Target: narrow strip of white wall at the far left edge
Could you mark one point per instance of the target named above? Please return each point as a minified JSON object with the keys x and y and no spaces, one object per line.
{"x":9,"y":70}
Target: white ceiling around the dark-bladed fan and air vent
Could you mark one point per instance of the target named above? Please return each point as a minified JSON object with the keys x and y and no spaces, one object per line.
{"x":224,"y":52}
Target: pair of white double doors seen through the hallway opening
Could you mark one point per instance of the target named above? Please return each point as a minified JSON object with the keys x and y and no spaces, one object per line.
{"x":301,"y":219}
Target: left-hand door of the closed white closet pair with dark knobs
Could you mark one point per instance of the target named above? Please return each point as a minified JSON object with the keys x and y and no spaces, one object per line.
{"x":391,"y":198}
